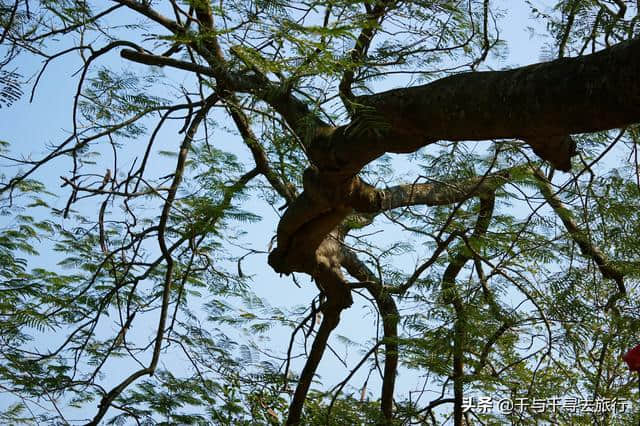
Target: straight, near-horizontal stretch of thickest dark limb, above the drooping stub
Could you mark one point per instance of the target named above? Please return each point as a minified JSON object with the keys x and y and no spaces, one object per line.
{"x":542,"y":104}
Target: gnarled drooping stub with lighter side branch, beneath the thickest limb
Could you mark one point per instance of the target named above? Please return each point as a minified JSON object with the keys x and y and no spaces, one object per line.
{"x":321,"y":208}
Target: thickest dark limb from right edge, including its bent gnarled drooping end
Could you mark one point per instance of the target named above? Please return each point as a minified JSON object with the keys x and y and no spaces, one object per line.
{"x":543,"y":104}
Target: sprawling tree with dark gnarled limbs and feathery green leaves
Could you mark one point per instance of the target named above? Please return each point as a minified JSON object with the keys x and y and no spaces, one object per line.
{"x":525,"y":280}
